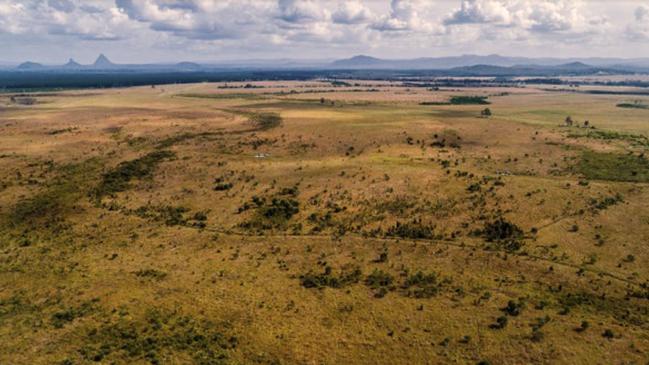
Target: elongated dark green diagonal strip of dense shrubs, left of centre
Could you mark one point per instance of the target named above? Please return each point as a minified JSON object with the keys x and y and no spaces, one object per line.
{"x":119,"y":178}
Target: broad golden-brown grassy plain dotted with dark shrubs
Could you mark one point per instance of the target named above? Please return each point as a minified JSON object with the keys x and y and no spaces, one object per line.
{"x":301,"y":223}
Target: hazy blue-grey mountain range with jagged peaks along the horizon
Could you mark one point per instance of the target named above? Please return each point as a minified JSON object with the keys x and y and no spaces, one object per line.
{"x":466,"y":65}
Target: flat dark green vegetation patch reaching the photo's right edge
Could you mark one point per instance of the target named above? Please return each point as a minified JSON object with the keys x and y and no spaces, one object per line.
{"x":613,"y":167}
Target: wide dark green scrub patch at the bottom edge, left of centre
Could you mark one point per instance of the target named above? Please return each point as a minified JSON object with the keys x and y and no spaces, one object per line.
{"x":156,"y":339}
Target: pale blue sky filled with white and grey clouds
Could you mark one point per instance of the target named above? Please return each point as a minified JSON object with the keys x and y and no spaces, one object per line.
{"x":51,"y":31}
